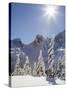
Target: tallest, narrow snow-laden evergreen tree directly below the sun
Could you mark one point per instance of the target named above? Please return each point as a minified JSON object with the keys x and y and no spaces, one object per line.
{"x":51,"y":67}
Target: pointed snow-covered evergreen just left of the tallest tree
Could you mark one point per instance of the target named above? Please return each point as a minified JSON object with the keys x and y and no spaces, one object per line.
{"x":40,"y":65}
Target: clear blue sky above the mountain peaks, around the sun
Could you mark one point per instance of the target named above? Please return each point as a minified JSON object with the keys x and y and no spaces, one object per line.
{"x":28,"y":20}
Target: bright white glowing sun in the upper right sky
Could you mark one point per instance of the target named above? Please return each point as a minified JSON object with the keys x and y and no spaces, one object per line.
{"x":50,"y":11}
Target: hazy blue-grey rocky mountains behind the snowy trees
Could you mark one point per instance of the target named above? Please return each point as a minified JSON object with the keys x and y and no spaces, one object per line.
{"x":32,"y":50}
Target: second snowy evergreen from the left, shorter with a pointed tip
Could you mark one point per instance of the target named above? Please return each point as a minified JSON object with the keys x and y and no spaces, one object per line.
{"x":27,"y":68}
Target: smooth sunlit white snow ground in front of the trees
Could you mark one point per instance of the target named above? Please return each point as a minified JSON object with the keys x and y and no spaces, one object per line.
{"x":21,"y":81}
